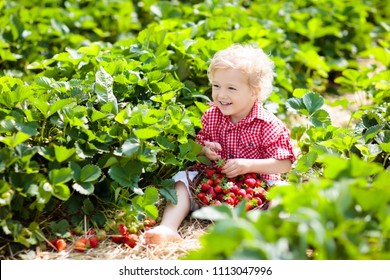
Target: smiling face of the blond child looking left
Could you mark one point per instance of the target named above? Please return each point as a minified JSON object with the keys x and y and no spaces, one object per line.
{"x":232,"y":94}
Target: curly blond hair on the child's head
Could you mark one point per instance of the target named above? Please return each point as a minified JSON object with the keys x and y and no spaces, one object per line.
{"x":250,"y":60}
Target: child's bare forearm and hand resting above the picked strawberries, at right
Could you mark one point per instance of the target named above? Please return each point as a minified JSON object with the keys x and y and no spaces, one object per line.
{"x":235,"y":167}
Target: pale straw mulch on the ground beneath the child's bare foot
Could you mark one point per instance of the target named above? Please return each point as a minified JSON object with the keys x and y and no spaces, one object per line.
{"x":190,"y":231}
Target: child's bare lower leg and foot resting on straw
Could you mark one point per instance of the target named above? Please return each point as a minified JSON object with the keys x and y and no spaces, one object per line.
{"x":173,"y":216}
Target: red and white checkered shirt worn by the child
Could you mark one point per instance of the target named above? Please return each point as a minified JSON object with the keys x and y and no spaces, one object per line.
{"x":259,"y":135}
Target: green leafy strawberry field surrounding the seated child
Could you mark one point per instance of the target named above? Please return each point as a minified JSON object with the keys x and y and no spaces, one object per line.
{"x":100,"y":102}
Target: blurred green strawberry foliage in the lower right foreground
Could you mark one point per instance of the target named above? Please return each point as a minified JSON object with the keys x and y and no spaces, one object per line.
{"x":336,"y":216}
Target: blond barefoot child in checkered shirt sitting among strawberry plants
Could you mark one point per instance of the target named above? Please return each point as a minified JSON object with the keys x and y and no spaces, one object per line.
{"x":236,"y":128}
